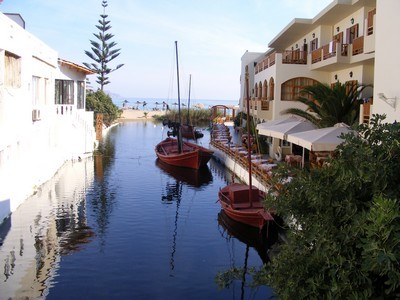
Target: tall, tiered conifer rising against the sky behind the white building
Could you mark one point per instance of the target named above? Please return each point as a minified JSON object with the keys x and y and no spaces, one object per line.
{"x":102,"y":50}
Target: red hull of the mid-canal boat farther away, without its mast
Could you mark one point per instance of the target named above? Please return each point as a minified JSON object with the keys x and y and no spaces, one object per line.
{"x":191,"y":155}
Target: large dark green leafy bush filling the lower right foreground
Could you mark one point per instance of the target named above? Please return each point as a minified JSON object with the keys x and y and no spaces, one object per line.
{"x":344,"y":236}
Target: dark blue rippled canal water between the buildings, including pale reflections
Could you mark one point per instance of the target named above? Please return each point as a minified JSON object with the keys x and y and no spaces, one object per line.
{"x":122,"y":225}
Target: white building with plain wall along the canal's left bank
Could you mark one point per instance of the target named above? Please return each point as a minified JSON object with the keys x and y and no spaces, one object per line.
{"x":43,"y":122}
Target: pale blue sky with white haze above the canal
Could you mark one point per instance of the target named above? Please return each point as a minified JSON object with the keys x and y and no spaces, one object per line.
{"x":212,"y":37}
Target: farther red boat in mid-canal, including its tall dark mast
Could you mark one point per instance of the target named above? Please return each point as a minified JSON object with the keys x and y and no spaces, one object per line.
{"x":177,"y":152}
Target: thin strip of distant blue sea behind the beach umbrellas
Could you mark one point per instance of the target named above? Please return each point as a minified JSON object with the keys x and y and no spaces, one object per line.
{"x":153,"y":103}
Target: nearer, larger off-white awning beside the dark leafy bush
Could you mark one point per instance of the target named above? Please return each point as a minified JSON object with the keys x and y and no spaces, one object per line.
{"x":323,"y":139}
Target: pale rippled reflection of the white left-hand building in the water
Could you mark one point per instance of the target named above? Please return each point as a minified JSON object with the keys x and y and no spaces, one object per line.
{"x":45,"y":227}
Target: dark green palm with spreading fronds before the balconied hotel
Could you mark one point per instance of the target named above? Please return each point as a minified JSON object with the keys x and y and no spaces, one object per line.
{"x":327,"y":106}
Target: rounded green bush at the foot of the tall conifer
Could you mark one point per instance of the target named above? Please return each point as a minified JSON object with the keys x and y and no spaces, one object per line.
{"x":99,"y":102}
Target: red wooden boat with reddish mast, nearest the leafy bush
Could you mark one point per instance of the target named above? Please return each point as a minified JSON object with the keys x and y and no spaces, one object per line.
{"x":242,"y":202}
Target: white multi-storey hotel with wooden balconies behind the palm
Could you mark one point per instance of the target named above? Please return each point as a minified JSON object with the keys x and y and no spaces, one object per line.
{"x":351,"y":41}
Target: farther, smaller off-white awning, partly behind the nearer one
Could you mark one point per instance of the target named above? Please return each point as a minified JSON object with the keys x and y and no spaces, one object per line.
{"x":282,"y":130}
